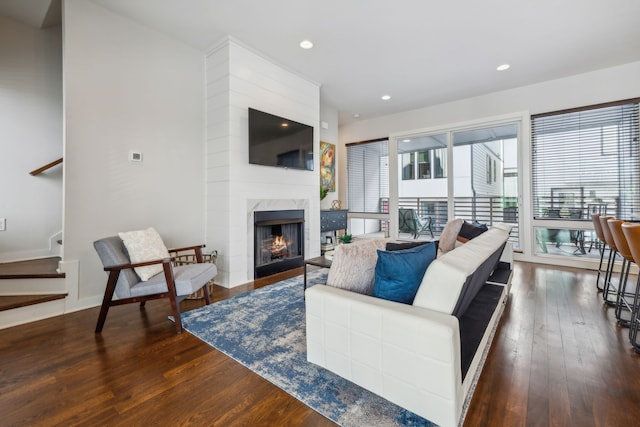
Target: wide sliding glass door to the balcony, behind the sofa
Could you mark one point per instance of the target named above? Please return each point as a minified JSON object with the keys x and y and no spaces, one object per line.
{"x":470,"y":174}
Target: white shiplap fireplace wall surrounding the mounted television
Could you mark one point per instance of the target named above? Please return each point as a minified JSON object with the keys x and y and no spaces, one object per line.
{"x":238,"y":78}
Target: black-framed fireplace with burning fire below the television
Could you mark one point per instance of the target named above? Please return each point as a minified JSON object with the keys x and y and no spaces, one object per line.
{"x":278,"y":241}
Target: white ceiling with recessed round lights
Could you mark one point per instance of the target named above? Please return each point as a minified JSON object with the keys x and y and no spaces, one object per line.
{"x":421,"y":52}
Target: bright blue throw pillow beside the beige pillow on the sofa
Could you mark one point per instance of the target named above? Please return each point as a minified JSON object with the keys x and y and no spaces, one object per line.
{"x":399,"y":273}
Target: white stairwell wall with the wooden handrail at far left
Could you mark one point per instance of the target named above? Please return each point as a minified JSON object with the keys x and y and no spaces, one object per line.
{"x":31,"y":136}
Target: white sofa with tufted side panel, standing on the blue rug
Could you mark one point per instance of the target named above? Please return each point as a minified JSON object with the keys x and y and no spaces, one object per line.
{"x":411,"y":354}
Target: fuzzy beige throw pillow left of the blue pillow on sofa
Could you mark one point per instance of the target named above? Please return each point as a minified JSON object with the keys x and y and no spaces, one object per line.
{"x":354,"y":265}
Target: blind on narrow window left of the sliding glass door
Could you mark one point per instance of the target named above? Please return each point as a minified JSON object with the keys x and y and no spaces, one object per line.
{"x":368,"y":176}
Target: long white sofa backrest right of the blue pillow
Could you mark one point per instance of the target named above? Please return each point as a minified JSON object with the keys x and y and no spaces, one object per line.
{"x":444,"y":280}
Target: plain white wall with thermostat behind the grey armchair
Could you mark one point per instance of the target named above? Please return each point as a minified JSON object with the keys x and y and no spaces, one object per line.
{"x":128,"y":88}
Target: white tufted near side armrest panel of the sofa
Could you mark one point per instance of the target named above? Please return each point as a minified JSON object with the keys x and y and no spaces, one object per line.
{"x":408,"y":355}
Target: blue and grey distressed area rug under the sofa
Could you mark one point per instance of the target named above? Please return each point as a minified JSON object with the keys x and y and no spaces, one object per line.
{"x":265,"y":331}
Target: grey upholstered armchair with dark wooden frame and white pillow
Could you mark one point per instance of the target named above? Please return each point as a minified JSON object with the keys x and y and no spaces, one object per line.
{"x":138,"y":280}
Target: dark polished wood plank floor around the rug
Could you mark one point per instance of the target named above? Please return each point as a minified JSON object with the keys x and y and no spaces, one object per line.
{"x":558,"y":358}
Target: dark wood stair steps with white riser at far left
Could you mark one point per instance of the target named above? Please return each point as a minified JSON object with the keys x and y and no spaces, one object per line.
{"x":25,"y":283}
